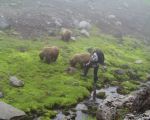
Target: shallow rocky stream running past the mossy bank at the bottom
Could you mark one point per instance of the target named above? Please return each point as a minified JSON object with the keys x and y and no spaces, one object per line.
{"x":84,"y":110}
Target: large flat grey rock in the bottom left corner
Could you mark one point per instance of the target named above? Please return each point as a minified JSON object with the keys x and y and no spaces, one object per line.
{"x":8,"y":112}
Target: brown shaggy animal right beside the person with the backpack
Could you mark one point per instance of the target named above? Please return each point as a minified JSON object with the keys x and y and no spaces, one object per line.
{"x":81,"y":59}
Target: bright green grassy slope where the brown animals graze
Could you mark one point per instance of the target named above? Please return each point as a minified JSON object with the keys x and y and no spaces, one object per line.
{"x":47,"y":86}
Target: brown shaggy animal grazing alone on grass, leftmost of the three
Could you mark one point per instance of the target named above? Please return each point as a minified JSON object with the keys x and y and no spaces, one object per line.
{"x":49,"y":54}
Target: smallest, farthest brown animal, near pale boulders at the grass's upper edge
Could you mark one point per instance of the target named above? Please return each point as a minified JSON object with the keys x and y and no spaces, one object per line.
{"x":66,"y":34}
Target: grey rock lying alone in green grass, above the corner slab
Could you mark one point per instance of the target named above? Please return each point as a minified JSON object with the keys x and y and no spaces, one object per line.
{"x":14,"y":81}
